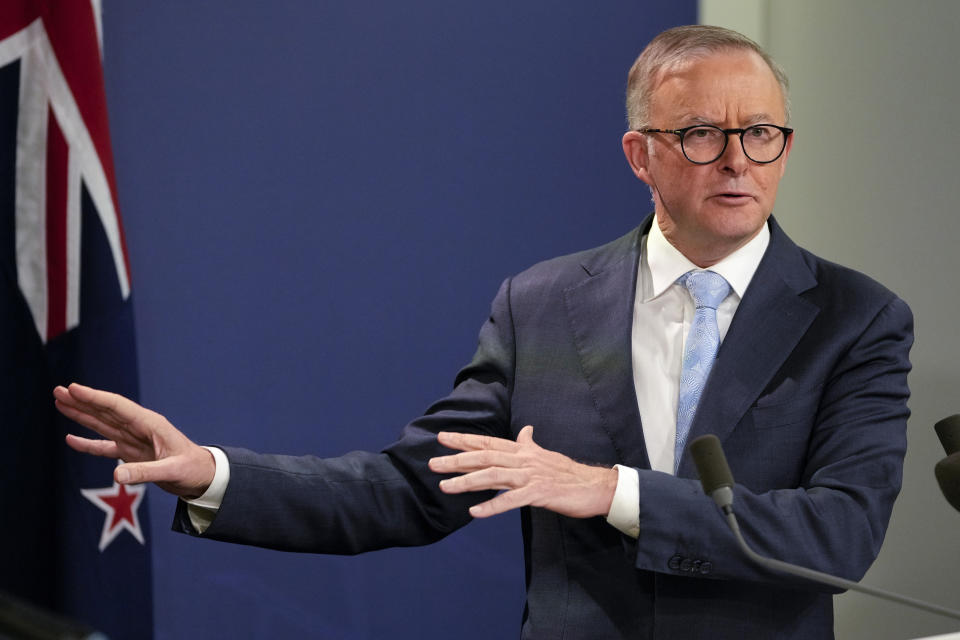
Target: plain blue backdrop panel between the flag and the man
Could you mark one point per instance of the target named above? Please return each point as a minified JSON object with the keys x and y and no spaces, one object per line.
{"x":321,"y":199}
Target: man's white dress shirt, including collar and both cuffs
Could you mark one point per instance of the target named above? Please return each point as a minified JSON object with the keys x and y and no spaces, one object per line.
{"x":662,"y":313}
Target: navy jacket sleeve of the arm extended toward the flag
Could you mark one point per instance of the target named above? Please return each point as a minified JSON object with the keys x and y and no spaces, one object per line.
{"x":363,"y":501}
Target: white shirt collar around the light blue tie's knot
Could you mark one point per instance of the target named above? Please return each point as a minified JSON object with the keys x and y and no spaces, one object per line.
{"x":666,"y":263}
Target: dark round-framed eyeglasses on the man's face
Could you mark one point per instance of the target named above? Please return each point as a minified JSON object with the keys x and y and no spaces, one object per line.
{"x":705,"y":143}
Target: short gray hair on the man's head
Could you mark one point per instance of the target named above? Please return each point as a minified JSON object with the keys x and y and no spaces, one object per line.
{"x":676,"y":46}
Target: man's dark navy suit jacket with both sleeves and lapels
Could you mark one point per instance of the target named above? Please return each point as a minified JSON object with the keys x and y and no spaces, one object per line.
{"x":808,"y":397}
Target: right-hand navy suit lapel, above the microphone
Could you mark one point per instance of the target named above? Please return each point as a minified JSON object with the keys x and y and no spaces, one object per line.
{"x":770,"y":321}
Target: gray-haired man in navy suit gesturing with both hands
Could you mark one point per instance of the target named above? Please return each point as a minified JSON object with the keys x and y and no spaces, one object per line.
{"x":799,"y":366}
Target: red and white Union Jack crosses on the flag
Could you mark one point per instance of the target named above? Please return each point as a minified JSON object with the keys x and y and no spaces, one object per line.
{"x":63,"y":150}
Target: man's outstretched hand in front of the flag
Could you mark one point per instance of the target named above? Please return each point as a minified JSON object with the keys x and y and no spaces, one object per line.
{"x":152,"y":449}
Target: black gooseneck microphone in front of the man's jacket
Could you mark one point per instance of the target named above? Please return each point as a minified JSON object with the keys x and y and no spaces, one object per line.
{"x":717,"y":482}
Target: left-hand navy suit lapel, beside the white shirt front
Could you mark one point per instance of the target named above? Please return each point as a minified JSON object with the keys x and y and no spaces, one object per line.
{"x":600,"y":310}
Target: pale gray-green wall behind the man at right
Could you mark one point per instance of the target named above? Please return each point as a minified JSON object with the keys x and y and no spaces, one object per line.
{"x":873,"y":183}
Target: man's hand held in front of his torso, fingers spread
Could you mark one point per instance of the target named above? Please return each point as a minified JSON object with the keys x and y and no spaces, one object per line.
{"x":528,"y":474}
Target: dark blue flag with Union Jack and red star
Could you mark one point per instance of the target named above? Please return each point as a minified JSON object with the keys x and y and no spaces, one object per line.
{"x":73,"y":541}
